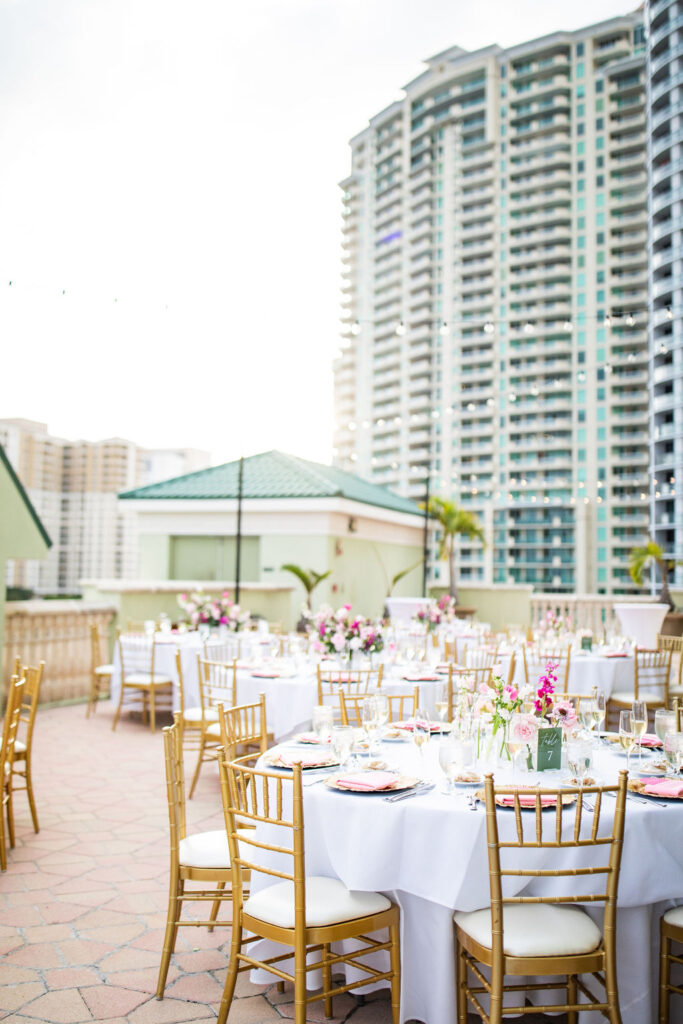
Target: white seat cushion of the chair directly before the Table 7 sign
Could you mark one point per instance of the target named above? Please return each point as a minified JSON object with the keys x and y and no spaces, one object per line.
{"x":536,"y":930}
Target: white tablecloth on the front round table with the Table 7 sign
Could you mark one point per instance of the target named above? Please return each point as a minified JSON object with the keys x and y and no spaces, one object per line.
{"x":429,"y":854}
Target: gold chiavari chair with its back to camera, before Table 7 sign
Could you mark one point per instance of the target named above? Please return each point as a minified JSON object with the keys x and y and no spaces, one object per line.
{"x":549,"y":935}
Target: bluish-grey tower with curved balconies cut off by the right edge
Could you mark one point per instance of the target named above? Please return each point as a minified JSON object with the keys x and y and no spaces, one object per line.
{"x":665,"y":152}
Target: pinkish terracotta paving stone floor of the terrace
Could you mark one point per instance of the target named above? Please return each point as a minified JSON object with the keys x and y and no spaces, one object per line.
{"x":83,"y":903}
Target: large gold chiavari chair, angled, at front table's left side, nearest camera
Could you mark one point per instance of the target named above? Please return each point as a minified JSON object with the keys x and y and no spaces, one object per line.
{"x":307,"y":914}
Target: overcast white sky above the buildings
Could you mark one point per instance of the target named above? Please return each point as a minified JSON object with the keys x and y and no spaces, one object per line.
{"x":169,"y":209}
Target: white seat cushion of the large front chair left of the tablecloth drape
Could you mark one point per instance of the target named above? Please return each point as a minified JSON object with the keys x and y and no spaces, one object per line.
{"x":328,"y":903}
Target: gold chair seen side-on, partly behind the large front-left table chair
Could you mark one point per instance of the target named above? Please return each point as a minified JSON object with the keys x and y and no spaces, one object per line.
{"x":202,"y":858}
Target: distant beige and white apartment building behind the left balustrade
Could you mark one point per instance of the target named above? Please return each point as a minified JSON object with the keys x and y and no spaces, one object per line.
{"x":74,"y":488}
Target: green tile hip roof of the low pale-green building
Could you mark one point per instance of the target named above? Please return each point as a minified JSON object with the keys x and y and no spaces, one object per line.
{"x":275,"y":475}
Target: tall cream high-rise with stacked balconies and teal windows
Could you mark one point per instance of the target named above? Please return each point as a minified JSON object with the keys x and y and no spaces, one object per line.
{"x":495,"y":297}
